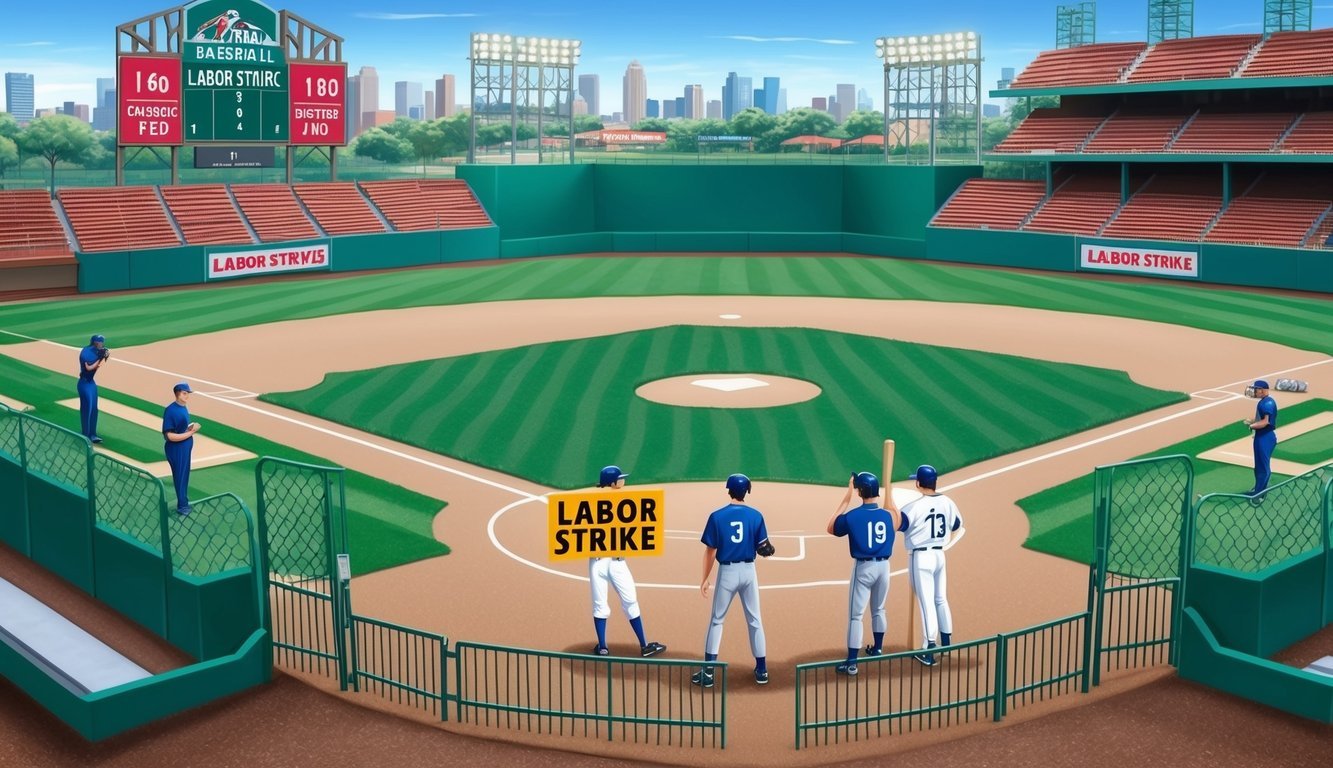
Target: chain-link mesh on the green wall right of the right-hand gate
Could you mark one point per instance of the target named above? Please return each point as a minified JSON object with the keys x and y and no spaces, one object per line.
{"x":1251,"y":534}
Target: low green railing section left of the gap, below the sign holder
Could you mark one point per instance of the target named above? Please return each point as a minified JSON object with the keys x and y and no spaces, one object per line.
{"x":641,"y":701}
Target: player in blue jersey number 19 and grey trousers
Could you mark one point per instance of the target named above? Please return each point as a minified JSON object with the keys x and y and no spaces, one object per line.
{"x":870,"y":538}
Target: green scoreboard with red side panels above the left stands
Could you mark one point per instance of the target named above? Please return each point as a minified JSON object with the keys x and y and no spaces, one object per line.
{"x":231,"y":85}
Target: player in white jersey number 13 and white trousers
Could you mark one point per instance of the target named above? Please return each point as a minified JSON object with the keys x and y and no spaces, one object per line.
{"x":928,"y":523}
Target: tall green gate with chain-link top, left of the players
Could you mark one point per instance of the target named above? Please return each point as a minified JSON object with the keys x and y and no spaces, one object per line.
{"x":303,"y":525}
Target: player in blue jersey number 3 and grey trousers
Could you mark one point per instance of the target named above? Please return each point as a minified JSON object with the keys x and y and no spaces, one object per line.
{"x":734,"y":537}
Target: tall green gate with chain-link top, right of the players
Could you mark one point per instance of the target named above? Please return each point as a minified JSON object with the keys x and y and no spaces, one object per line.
{"x":1142,"y":530}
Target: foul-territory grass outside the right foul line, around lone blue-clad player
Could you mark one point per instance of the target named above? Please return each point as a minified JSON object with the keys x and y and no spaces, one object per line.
{"x":1060,"y":518}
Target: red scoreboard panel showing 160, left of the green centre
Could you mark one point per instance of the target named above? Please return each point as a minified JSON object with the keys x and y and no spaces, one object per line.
{"x":149,"y":102}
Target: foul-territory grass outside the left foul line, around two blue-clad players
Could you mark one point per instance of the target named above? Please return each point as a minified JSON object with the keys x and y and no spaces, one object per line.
{"x":389,"y":525}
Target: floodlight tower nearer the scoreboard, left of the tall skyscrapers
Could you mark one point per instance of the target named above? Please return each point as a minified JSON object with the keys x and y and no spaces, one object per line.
{"x":521,"y":79}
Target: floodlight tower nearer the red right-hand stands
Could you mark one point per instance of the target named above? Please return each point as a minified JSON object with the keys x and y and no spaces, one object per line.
{"x":936,"y":77}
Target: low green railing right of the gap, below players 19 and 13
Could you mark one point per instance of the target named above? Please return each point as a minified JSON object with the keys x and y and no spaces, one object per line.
{"x":971,"y":682}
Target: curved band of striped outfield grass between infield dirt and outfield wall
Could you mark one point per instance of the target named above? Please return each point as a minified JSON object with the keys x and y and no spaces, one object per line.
{"x":1304,"y":323}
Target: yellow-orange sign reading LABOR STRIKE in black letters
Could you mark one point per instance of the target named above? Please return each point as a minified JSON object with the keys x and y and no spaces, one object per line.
{"x":605,"y":525}
